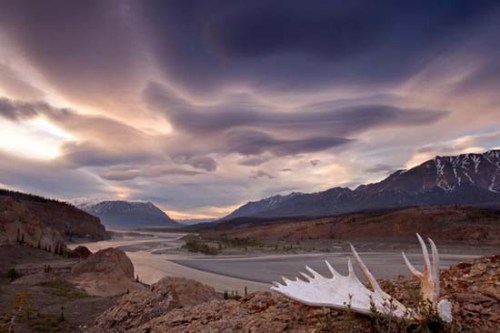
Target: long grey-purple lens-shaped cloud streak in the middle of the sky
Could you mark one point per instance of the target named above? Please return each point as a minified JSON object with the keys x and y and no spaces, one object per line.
{"x":244,"y":124}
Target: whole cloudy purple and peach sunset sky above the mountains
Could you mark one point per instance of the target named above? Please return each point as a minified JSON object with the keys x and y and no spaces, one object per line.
{"x":201,"y":106}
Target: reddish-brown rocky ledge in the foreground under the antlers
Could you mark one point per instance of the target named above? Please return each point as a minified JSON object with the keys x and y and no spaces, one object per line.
{"x":180,"y":305}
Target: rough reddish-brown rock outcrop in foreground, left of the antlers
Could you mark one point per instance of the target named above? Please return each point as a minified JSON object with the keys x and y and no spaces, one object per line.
{"x":141,"y":306}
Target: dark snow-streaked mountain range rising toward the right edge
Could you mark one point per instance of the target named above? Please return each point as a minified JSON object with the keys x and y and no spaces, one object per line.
{"x":467,"y":179}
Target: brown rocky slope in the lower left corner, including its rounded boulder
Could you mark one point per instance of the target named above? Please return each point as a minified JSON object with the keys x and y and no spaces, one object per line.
{"x":44,"y":292}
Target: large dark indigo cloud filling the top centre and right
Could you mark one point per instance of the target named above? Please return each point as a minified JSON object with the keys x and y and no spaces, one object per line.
{"x":305,"y":44}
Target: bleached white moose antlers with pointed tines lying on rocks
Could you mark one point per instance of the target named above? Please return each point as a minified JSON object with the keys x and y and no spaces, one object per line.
{"x":341,"y":291}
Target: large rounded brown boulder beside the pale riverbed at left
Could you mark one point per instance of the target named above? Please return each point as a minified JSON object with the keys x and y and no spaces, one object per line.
{"x":108,"y":272}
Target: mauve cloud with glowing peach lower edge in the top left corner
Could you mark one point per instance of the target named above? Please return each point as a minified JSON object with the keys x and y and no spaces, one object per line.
{"x":82,"y":48}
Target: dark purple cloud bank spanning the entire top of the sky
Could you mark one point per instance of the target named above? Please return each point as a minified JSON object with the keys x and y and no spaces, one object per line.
{"x":85,"y":47}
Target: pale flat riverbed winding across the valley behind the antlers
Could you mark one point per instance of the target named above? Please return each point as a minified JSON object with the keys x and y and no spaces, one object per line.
{"x":158,"y":255}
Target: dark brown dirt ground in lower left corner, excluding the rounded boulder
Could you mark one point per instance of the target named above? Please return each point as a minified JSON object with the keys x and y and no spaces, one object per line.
{"x":49,"y":304}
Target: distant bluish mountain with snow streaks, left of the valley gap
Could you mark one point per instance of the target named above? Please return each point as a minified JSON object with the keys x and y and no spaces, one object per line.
{"x":126,"y":214}
